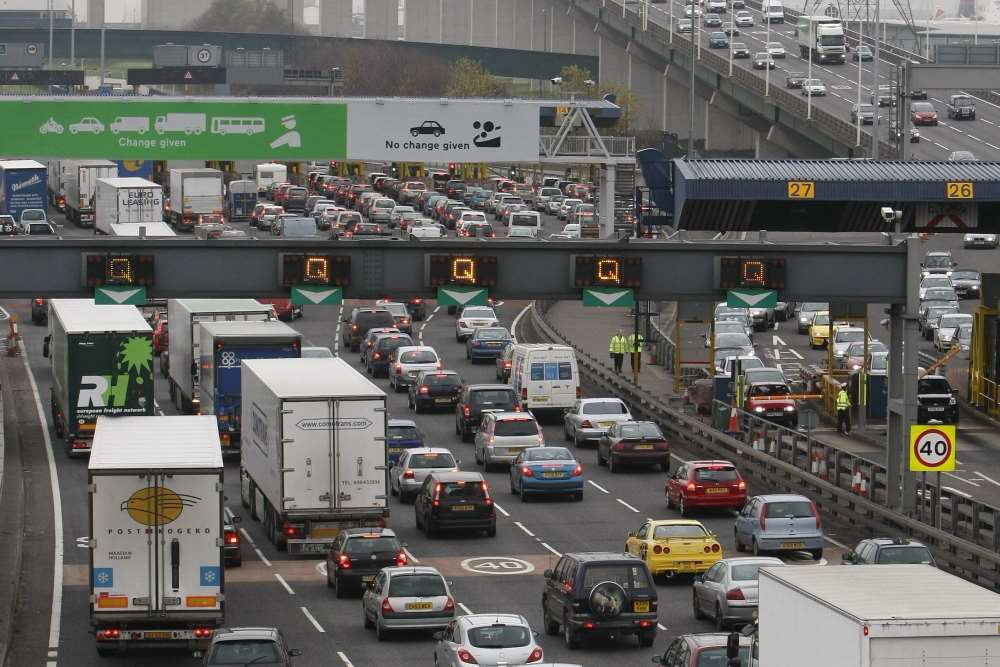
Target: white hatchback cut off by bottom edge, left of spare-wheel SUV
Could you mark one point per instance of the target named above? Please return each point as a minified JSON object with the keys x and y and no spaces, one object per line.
{"x":487,"y":640}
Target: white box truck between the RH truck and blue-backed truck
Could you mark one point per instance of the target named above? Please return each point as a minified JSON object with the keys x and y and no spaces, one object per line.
{"x":183,"y":350}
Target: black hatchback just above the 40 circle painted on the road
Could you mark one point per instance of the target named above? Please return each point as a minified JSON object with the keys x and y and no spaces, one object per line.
{"x":455,"y":501}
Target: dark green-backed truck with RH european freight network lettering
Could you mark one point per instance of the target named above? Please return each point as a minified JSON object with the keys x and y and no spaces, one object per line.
{"x":101,"y":359}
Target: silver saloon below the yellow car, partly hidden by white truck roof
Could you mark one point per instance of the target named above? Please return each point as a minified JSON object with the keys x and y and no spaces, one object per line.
{"x":727,"y":593}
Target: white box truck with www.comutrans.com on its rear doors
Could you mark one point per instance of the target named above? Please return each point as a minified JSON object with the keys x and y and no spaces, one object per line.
{"x":314,"y":456}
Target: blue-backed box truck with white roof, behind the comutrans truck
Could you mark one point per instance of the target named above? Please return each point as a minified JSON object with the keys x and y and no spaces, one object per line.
{"x":224,"y":346}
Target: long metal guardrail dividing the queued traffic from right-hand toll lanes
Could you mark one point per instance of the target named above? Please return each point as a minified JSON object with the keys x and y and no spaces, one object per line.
{"x":964,"y":535}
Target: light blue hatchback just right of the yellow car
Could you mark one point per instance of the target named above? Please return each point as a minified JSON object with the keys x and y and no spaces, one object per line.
{"x":779,"y":522}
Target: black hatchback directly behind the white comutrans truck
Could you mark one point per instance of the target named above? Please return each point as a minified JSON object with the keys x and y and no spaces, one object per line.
{"x":357,"y":555}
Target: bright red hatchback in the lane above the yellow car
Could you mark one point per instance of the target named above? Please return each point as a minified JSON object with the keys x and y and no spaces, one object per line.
{"x":706,"y":484}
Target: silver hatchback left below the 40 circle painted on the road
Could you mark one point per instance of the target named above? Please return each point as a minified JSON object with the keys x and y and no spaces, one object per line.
{"x":407,"y":598}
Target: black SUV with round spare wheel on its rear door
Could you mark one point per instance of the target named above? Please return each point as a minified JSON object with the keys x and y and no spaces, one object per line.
{"x":598,"y":593}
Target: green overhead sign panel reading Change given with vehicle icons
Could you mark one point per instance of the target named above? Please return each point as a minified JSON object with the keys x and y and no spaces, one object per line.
{"x":157,"y":128}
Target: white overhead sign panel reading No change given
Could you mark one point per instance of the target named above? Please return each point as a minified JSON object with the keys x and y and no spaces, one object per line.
{"x":443,"y":131}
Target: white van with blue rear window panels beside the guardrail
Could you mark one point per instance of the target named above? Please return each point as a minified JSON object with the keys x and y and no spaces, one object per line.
{"x":545,"y":377}
